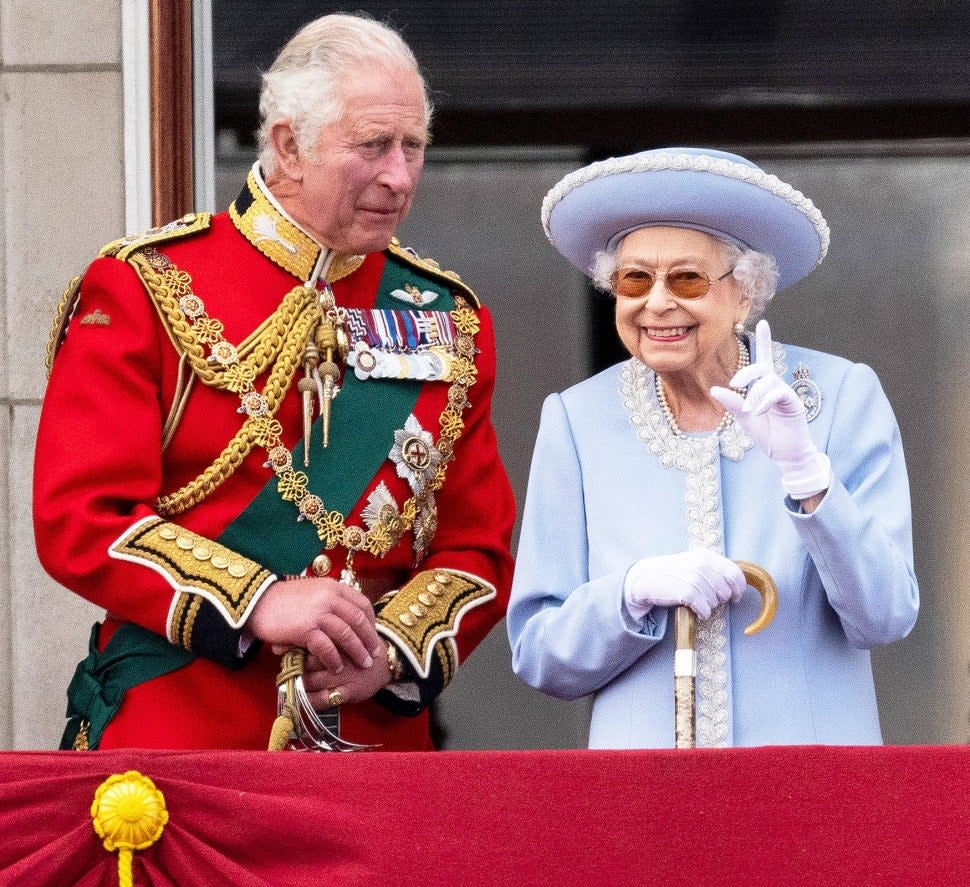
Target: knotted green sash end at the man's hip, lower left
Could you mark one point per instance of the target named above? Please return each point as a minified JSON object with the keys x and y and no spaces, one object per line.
{"x":132,"y":656}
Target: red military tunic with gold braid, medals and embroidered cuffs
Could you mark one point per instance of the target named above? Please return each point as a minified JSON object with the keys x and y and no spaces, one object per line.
{"x":155,"y":495}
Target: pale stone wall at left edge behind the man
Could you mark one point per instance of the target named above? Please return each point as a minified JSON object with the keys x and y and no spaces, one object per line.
{"x":62,"y":197}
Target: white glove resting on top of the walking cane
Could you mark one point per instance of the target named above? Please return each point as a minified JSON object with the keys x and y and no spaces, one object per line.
{"x":699,"y":579}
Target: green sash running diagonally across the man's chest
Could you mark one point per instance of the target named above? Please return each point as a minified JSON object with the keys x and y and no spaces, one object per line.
{"x":362,"y":424}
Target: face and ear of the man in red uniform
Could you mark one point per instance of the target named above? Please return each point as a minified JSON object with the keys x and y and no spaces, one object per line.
{"x":356,"y":189}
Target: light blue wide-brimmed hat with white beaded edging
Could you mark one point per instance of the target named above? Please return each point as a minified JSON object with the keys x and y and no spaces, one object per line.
{"x":722,"y":194}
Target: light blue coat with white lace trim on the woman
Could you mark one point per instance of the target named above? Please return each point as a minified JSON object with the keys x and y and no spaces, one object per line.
{"x":600,"y":499}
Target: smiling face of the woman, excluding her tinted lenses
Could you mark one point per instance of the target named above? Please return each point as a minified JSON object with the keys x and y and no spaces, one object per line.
{"x":676,"y":336}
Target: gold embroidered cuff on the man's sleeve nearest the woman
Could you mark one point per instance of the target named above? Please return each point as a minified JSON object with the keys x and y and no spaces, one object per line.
{"x":427,"y":610}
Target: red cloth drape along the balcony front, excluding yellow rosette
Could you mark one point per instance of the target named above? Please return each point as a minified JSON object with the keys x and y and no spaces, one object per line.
{"x":763,"y":816}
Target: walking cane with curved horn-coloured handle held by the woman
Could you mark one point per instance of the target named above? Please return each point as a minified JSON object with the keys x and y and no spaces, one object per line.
{"x":685,"y":652}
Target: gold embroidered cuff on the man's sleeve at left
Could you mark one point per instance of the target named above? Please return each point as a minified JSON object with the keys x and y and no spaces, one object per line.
{"x":194,"y":564}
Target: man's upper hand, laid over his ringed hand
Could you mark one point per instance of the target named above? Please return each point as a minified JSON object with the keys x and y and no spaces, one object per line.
{"x":332,"y":621}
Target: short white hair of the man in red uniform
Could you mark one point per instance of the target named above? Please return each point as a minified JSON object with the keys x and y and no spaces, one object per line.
{"x":305,"y":84}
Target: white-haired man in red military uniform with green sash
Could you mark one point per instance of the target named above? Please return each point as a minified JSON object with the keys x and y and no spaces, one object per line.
{"x":269,"y":430}
